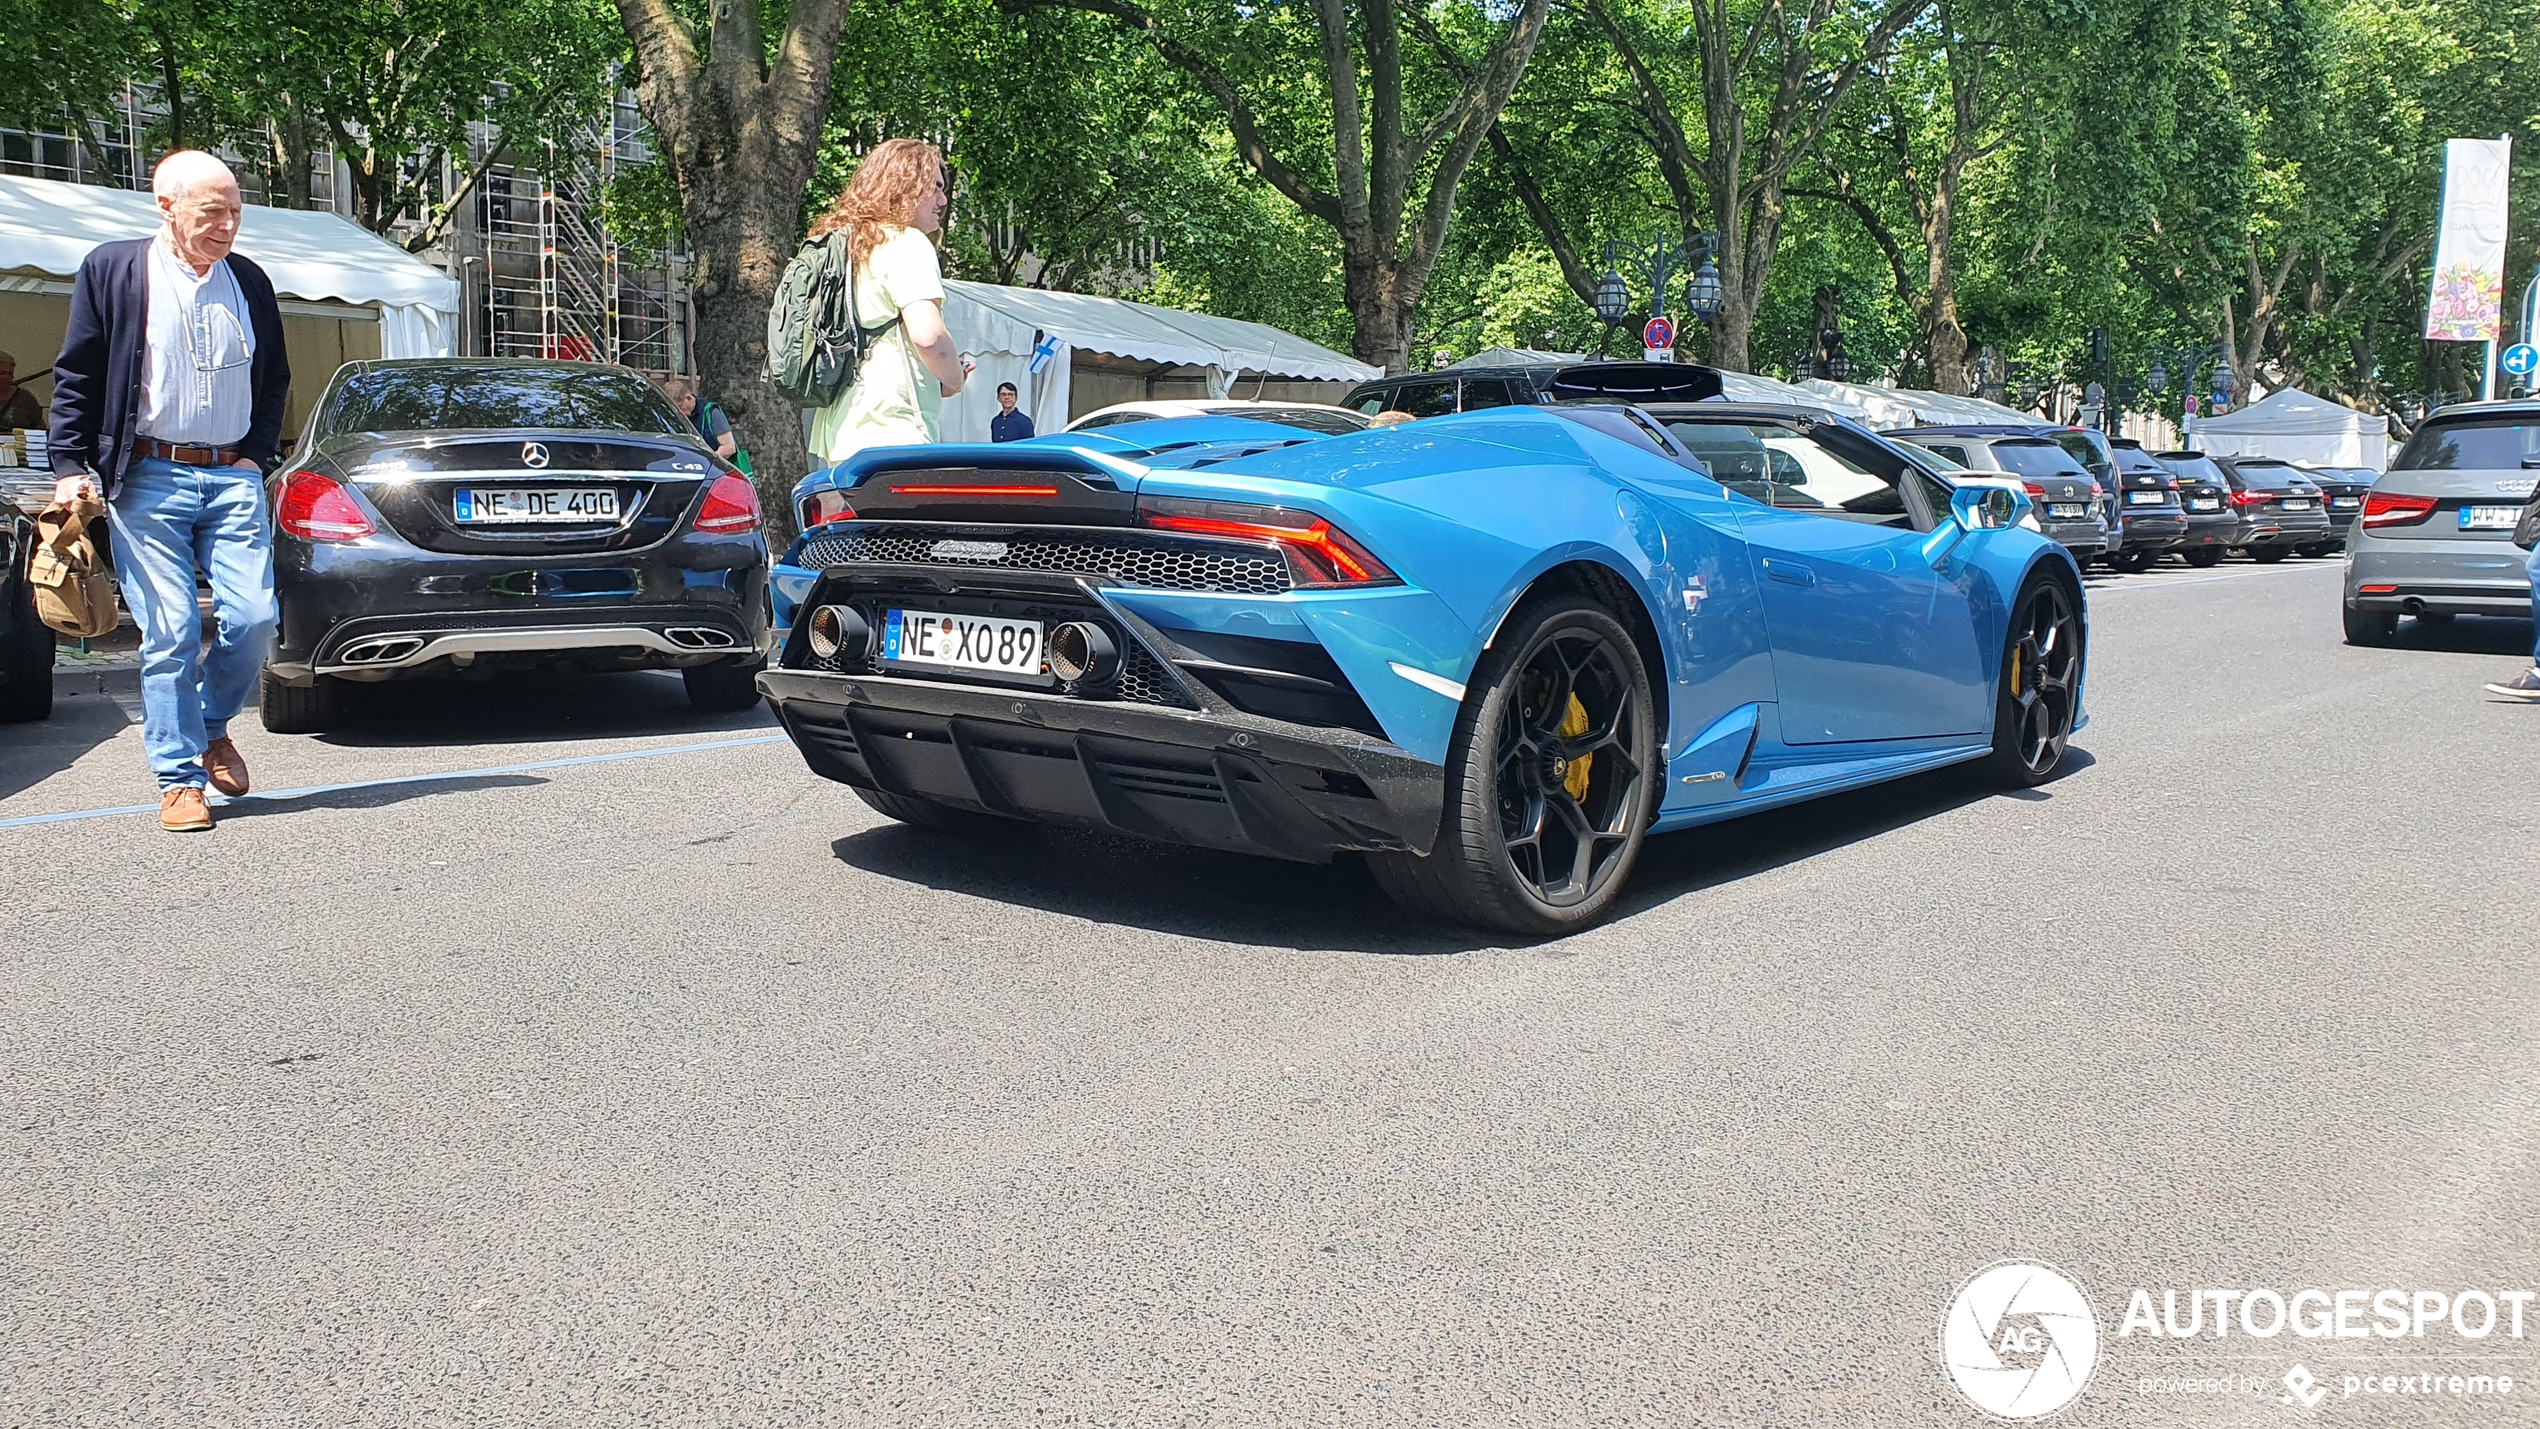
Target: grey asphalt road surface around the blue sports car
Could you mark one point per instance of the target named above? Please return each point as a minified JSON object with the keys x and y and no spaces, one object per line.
{"x":573,"y":1060}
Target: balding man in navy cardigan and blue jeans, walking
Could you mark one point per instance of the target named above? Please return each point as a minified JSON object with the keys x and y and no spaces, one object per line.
{"x":169,"y":400}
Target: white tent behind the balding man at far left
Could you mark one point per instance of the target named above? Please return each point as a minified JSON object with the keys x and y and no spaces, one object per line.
{"x":347,"y":293}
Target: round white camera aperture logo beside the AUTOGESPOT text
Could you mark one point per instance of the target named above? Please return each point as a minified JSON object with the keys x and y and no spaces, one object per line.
{"x":2021,"y":1341}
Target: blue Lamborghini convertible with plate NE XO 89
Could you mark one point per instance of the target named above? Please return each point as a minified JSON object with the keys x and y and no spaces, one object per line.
{"x":1490,"y":651}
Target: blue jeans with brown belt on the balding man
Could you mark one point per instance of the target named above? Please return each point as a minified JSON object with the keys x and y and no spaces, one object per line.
{"x":169,"y":524}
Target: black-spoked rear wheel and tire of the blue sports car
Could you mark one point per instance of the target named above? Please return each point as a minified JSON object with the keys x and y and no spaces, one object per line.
{"x":1551,"y":778}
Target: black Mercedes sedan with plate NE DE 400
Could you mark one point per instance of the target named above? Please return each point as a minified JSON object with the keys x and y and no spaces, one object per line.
{"x":469,"y":517}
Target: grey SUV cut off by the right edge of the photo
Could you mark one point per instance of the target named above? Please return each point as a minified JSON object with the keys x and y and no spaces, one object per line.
{"x":2437,"y":532}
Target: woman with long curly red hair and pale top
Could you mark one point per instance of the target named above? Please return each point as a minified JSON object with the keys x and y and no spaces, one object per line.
{"x":893,"y":212}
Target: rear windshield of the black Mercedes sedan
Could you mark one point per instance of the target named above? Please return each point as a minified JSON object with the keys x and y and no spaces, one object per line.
{"x":456,"y":397}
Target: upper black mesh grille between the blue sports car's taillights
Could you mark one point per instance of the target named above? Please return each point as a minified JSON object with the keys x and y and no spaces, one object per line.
{"x":1126,"y":560}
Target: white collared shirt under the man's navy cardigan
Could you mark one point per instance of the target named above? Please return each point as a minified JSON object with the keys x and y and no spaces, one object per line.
{"x":197,"y":359}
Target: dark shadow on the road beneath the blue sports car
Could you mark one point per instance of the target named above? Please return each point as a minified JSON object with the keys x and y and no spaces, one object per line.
{"x":1228,"y":897}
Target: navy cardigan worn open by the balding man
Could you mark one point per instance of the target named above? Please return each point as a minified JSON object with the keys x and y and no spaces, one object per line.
{"x":98,"y":382}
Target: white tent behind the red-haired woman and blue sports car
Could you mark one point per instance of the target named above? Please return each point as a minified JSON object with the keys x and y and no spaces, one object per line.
{"x":1109,"y":349}
